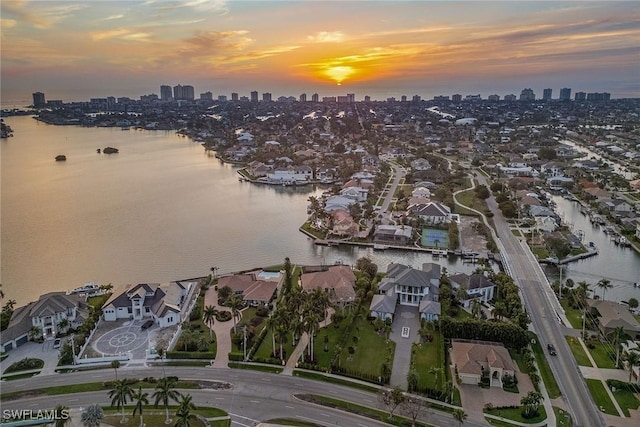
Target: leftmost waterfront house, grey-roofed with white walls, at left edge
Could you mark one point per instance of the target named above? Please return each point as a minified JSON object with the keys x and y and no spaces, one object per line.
{"x":45,"y":315}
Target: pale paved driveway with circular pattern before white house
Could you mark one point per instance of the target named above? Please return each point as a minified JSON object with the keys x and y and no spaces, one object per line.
{"x":125,"y":339}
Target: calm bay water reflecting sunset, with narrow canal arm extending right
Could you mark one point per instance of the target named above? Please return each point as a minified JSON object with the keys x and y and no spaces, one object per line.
{"x":162,"y":209}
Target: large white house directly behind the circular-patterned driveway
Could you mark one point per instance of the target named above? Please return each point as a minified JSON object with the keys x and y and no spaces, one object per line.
{"x":165,"y":303}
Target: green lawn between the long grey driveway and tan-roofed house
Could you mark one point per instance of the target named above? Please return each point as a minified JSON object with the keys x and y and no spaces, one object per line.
{"x":425,"y":356}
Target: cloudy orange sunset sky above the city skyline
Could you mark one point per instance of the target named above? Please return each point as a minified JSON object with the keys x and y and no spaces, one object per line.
{"x":74,"y":50}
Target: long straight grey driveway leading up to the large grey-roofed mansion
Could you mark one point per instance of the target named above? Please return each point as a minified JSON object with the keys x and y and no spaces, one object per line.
{"x":405,"y":317}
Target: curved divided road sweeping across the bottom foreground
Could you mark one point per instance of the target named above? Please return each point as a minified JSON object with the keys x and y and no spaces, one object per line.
{"x":254,"y":396}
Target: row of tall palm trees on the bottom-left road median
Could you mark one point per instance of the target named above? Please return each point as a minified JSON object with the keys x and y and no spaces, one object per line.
{"x":164,"y":393}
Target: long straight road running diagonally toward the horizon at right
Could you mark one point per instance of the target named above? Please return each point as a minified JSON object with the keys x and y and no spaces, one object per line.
{"x":545,"y":314}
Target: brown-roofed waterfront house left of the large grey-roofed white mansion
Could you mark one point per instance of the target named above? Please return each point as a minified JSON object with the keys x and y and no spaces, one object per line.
{"x":338,"y":280}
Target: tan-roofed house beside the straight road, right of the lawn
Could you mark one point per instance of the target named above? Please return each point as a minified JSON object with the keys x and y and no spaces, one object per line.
{"x":474,"y":359}
